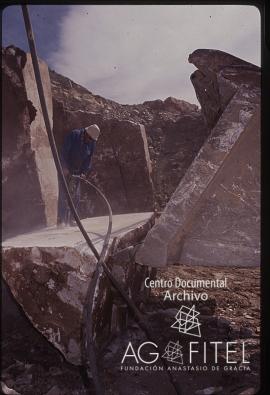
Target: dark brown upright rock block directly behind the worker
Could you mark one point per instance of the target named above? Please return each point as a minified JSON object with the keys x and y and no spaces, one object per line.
{"x":121,"y":165}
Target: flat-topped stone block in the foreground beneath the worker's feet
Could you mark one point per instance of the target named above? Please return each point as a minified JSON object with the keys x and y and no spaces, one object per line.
{"x":48,"y":273}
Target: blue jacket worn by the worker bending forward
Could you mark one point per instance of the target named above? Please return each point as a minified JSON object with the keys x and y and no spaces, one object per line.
{"x":76,"y":155}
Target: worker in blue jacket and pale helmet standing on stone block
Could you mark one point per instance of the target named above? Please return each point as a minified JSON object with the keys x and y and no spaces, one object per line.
{"x":76,"y":158}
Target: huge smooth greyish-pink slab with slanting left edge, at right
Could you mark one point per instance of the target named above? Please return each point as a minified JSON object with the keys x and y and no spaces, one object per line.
{"x":214,"y":215}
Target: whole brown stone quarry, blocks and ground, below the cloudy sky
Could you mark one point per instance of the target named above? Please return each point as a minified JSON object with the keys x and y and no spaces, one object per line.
{"x":184,"y":186}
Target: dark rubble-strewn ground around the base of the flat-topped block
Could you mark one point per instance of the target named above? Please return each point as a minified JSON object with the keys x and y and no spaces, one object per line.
{"x":31,"y":366}
